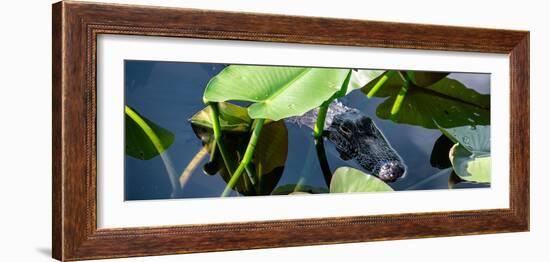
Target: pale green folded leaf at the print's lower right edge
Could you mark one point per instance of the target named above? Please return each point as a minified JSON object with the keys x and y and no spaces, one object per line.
{"x":471,"y":155}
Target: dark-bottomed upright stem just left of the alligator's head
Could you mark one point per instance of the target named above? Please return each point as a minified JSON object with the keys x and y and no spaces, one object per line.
{"x":320,"y":144}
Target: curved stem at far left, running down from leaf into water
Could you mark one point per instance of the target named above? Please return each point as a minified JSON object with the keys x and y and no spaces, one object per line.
{"x":176,"y":190}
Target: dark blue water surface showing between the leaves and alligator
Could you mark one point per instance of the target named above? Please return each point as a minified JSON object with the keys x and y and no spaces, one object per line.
{"x":169,"y":93}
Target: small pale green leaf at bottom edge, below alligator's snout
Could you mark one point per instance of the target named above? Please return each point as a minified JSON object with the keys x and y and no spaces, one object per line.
{"x":348,"y":180}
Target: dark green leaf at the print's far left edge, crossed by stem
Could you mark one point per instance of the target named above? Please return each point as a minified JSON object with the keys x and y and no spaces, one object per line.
{"x":143,"y":138}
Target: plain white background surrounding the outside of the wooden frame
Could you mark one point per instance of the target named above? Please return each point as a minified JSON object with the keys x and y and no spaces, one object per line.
{"x":25,"y":160}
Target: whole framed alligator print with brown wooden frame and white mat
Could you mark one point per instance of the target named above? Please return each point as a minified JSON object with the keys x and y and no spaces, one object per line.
{"x":182,"y":130}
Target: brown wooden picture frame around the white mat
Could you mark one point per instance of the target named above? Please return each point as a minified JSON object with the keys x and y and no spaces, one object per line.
{"x":76,"y":26}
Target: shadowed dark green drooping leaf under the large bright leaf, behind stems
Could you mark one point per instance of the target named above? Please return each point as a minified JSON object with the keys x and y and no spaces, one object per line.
{"x":270,"y":155}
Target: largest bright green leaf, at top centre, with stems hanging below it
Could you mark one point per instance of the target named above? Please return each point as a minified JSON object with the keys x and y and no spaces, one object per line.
{"x":281,"y":92}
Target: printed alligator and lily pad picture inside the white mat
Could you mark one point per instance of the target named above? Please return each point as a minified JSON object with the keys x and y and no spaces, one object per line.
{"x":201,"y":130}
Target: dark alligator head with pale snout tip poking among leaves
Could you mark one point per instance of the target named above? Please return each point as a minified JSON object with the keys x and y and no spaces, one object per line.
{"x":357,"y":137}
